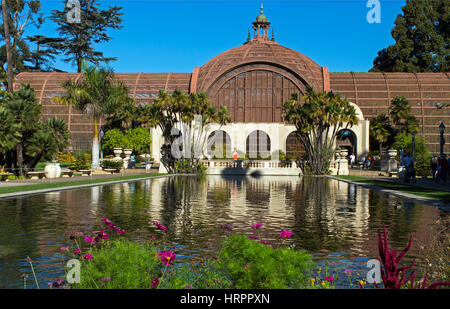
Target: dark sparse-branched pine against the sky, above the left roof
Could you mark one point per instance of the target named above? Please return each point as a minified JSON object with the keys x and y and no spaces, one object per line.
{"x":81,"y":37}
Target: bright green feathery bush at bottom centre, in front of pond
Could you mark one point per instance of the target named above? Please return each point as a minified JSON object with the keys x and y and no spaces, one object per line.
{"x":252,"y":265}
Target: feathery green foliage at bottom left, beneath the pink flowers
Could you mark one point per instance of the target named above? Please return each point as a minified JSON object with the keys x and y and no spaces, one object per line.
{"x":132,"y":265}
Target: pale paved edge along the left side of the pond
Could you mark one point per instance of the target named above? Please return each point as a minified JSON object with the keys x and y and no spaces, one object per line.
{"x":72,"y":187}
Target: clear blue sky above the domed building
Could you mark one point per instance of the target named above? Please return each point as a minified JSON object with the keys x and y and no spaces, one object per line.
{"x":176,"y":36}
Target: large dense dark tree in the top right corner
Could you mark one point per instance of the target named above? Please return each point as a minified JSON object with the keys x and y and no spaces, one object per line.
{"x":422,"y":39}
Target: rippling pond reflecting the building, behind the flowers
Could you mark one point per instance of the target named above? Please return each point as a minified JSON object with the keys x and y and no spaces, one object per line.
{"x":337,"y":222}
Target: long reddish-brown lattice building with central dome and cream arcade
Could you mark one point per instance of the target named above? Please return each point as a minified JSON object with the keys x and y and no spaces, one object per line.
{"x":254,"y":80}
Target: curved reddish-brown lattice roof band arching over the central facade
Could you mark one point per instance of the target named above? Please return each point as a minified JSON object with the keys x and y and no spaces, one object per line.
{"x":263,"y":52}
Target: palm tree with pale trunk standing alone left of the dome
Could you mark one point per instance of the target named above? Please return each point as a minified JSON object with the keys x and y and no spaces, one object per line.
{"x":97,"y":95}
